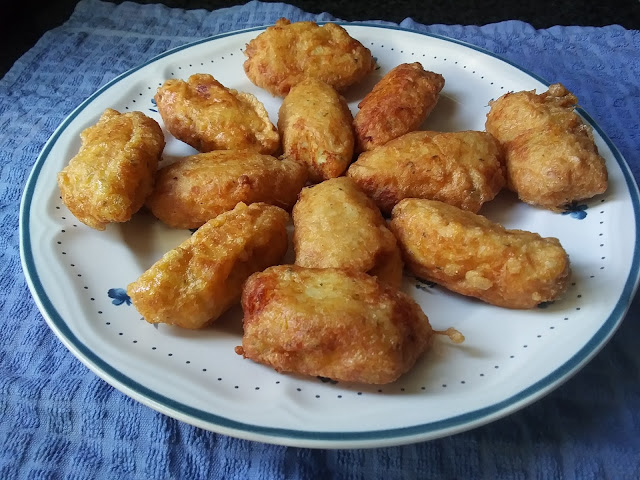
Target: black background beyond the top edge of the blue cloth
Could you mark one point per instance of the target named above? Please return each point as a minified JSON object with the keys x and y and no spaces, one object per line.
{"x":23,"y":22}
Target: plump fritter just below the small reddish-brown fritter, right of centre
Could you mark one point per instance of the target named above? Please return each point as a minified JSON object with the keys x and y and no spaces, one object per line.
{"x":461,"y":168}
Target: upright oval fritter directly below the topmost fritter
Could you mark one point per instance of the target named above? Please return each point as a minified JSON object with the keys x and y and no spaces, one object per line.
{"x":316,"y":127}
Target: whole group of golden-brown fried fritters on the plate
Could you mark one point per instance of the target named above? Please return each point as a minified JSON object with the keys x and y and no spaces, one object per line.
{"x":338,"y":311}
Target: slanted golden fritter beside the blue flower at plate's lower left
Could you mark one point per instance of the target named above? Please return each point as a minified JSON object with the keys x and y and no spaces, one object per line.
{"x":195,"y":283}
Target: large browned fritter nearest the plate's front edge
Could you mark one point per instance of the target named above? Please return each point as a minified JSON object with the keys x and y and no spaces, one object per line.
{"x":334,"y":323}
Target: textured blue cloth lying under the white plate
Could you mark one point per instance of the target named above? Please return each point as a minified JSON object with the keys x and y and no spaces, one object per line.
{"x":59,"y":420}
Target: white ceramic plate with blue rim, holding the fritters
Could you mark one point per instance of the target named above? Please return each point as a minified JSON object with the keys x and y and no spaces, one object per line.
{"x":510,"y":358}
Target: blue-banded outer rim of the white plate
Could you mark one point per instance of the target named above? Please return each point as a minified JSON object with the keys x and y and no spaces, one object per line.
{"x":307,"y":438}
